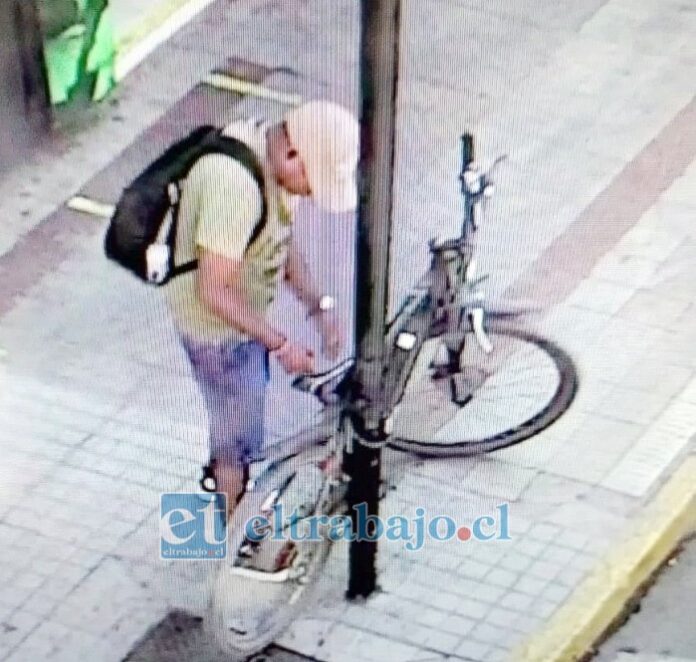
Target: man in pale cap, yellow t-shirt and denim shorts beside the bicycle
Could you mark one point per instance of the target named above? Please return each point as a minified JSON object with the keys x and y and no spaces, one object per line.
{"x":220,"y":308}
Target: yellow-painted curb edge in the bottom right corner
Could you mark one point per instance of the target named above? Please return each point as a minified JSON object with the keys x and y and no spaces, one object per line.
{"x":602,"y":596}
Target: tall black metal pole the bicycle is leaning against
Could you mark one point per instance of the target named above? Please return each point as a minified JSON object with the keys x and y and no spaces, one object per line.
{"x":379,"y":65}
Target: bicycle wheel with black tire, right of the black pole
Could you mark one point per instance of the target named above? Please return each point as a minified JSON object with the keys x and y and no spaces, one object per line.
{"x":494,"y":401}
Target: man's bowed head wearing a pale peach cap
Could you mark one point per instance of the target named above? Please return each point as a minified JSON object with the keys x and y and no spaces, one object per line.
{"x":314,"y":152}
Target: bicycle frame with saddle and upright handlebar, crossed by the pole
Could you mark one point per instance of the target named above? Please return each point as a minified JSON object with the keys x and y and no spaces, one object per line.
{"x":437,"y":307}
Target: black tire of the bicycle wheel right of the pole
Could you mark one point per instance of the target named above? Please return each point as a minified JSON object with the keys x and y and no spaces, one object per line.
{"x":557,"y":405}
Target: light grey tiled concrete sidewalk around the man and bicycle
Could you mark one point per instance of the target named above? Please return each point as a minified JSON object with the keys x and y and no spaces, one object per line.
{"x":99,"y":413}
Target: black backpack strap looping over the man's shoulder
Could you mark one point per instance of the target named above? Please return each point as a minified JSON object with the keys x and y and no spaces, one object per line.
{"x":216,"y":143}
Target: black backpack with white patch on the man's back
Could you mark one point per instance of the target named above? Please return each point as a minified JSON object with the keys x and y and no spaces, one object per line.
{"x":142,"y":232}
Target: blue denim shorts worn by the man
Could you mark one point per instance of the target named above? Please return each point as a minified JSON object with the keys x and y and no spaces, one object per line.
{"x":232,"y":378}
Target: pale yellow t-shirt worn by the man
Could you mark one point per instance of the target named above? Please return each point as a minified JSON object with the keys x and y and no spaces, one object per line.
{"x":220,"y":207}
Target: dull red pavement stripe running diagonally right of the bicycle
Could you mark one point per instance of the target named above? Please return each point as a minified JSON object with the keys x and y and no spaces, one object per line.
{"x":572,"y":255}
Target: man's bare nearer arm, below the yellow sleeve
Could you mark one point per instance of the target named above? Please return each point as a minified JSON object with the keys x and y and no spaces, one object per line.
{"x":217,"y":277}
